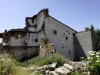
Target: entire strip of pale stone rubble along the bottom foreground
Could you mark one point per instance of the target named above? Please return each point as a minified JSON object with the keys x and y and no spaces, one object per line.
{"x":66,"y":69}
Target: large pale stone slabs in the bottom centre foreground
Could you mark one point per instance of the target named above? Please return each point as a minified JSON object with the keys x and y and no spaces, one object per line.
{"x":52,"y":70}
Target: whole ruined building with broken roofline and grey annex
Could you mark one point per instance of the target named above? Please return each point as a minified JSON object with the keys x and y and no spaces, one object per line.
{"x":26,"y":42}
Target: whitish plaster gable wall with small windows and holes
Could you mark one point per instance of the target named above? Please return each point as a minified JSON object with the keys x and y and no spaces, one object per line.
{"x":63,"y":39}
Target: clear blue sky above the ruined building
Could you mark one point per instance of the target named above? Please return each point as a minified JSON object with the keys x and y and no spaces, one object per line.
{"x":77,"y":14}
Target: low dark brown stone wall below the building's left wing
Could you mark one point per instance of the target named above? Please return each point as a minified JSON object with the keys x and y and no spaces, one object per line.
{"x":22,"y":53}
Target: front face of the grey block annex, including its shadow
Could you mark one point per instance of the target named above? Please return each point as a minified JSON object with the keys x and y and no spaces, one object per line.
{"x":82,"y":44}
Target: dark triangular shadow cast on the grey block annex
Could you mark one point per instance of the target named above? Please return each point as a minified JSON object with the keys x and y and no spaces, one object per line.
{"x":79,"y":52}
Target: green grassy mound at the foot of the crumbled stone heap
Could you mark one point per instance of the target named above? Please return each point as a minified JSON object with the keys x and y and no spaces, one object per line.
{"x":39,"y":61}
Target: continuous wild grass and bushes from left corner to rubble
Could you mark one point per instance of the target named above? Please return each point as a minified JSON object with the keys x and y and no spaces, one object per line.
{"x":10,"y":66}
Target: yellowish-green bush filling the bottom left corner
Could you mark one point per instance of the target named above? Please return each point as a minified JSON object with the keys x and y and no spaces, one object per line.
{"x":9,"y":66}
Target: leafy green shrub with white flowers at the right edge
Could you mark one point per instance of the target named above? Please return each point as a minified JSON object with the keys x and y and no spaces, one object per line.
{"x":94,"y":62}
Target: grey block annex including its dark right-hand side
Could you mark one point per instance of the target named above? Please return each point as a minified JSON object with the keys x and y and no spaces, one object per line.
{"x":85,"y":42}
